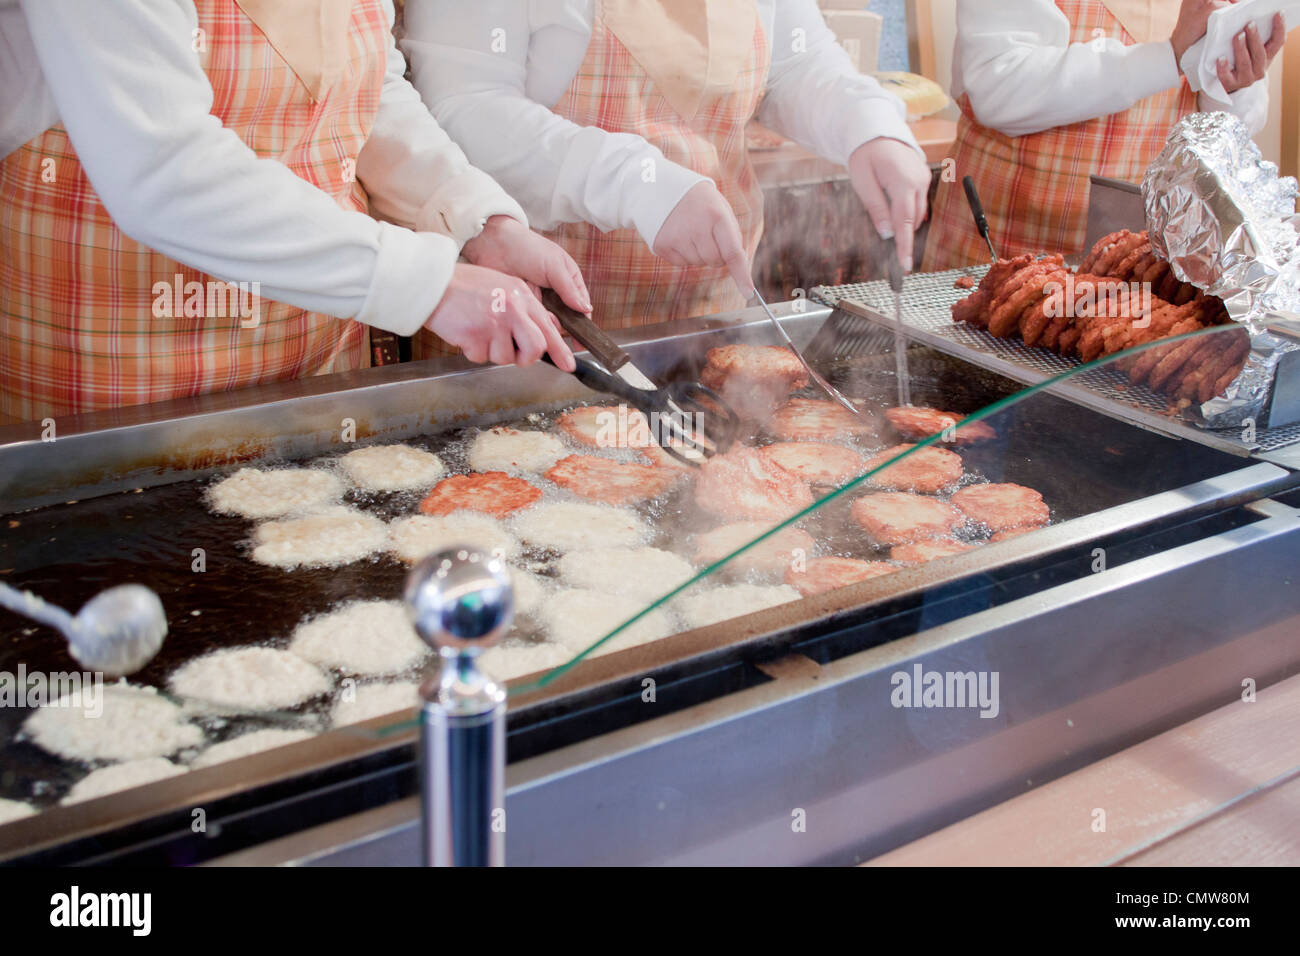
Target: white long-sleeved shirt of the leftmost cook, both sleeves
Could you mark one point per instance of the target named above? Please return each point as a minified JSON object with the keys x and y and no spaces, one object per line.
{"x":128,"y":88}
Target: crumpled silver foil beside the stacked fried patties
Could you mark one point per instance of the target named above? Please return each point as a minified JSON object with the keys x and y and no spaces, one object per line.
{"x":1228,"y":224}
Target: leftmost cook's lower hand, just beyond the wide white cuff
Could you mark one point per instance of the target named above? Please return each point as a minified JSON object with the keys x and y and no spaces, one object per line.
{"x":496,"y":318}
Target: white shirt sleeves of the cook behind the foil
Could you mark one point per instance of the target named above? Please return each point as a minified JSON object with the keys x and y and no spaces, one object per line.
{"x":1016,"y":62}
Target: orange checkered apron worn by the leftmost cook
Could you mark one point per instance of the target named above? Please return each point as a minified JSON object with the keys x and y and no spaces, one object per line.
{"x":84,"y":322}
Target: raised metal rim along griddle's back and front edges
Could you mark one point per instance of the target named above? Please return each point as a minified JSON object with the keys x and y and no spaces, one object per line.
{"x":181,"y":440}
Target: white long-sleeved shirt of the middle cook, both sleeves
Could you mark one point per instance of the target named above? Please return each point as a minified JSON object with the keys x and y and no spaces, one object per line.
{"x":497,"y":105}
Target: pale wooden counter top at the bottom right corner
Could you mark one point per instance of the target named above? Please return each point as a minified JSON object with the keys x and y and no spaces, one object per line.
{"x":1223,"y":790}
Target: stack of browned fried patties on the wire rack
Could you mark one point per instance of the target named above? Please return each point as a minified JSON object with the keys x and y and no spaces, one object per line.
{"x":1102,"y":310}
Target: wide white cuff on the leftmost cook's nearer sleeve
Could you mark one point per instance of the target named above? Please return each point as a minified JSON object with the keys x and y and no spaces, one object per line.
{"x":411,"y":274}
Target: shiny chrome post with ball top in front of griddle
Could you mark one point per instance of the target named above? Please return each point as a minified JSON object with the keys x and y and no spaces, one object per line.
{"x":462,"y":603}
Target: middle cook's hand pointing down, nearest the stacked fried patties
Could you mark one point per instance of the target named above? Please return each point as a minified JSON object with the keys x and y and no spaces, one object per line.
{"x":892,"y":181}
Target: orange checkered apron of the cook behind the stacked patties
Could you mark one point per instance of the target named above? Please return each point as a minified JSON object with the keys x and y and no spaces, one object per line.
{"x":1035,"y":188}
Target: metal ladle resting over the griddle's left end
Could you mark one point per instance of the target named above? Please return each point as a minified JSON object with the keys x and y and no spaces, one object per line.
{"x":118,"y":631}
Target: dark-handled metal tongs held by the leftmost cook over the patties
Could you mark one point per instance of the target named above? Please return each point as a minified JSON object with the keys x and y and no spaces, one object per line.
{"x":688,"y":421}
